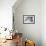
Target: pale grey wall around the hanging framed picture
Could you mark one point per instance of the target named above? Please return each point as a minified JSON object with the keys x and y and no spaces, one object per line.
{"x":30,"y":31}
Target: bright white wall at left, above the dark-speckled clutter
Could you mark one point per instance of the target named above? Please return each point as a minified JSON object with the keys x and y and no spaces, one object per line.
{"x":6,"y":13}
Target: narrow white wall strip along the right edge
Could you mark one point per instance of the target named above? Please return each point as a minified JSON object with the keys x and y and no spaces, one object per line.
{"x":43,"y":22}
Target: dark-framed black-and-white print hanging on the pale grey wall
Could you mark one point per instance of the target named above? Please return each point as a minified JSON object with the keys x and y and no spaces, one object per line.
{"x":28,"y":19}
